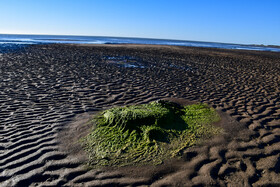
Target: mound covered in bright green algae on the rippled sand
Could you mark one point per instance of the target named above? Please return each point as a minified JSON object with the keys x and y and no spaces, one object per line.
{"x":148,"y":133}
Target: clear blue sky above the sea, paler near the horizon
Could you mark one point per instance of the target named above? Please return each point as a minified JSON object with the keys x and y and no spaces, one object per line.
{"x":229,"y":21}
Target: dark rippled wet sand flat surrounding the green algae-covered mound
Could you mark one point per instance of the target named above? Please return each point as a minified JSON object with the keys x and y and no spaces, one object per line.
{"x":47,"y":92}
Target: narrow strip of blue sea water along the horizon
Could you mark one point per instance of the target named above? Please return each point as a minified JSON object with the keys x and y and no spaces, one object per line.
{"x":12,"y":42}
